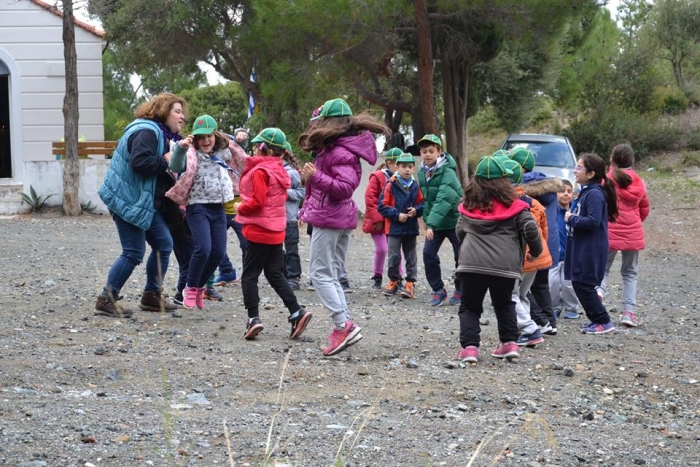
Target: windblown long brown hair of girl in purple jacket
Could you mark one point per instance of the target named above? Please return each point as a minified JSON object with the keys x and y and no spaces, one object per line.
{"x":326,"y":130}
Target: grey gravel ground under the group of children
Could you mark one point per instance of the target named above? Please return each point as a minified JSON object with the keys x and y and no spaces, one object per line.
{"x":81,"y":390}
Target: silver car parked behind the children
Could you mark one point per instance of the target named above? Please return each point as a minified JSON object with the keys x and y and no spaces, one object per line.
{"x":554,"y":154}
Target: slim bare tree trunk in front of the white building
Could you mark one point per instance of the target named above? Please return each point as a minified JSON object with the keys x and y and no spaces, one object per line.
{"x":71,"y":165}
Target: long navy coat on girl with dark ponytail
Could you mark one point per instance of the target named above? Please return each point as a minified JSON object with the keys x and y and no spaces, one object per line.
{"x":587,"y":242}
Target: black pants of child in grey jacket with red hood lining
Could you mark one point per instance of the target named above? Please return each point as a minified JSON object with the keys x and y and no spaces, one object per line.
{"x":474,"y":287}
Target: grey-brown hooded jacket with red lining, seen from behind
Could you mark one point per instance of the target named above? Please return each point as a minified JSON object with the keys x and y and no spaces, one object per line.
{"x":493,"y":243}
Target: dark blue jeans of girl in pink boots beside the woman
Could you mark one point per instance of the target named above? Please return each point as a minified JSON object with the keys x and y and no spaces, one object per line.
{"x":207,"y":223}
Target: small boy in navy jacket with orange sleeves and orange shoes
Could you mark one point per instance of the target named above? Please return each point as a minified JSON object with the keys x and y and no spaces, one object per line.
{"x":401,"y":203}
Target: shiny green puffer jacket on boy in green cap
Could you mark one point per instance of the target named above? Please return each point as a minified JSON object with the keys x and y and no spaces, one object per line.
{"x":442,"y":193}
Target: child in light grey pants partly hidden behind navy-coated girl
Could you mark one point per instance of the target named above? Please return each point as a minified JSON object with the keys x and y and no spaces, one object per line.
{"x":564,"y":301}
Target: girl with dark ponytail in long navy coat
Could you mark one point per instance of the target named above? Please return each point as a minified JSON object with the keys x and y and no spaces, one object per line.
{"x":587,"y":243}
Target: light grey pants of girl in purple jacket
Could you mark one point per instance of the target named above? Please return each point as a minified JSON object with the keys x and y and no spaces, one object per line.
{"x":329,"y":248}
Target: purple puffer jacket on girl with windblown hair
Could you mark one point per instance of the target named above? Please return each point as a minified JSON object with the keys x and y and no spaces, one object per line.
{"x":329,"y":191}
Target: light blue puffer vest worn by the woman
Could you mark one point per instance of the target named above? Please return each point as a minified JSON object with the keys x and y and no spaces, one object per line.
{"x":127,"y":193}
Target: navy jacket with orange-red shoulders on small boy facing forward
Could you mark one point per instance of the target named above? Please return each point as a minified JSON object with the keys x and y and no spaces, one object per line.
{"x":396,"y":199}
